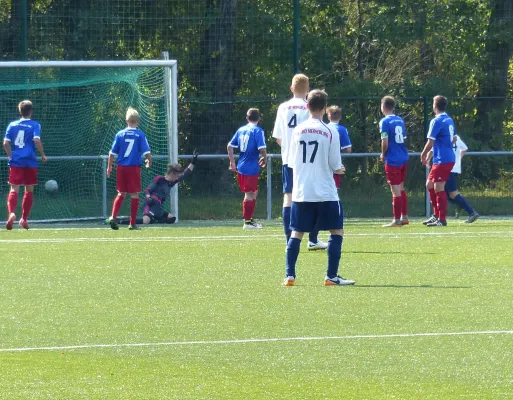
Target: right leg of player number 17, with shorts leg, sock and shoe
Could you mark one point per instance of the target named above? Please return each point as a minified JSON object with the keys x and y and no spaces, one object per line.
{"x":331,"y":217}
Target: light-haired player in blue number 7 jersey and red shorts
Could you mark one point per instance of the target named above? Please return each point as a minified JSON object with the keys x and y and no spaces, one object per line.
{"x":129,"y":146}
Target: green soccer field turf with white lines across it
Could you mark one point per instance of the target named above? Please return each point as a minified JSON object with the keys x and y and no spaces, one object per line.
{"x":197,"y":311}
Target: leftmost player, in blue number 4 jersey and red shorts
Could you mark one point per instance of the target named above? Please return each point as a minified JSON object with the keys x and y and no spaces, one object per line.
{"x":22,"y":138}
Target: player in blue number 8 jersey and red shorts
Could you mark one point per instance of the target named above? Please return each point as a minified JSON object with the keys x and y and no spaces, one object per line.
{"x":395,"y":156}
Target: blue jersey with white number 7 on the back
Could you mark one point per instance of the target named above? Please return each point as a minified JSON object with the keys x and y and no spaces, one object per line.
{"x":130,"y":145}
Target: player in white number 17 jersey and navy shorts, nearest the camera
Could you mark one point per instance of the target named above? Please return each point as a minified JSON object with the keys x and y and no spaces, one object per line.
{"x":315,"y":156}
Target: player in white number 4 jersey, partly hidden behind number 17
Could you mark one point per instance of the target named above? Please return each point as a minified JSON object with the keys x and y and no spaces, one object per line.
{"x":291,"y":114}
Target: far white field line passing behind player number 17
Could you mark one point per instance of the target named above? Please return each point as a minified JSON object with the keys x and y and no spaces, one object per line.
{"x":252,"y":237}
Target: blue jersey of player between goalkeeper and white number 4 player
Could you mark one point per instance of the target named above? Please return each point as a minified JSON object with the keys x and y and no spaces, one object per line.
{"x":249,"y":139}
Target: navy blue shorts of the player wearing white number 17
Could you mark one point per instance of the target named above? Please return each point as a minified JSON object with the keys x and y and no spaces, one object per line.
{"x":323,"y":216}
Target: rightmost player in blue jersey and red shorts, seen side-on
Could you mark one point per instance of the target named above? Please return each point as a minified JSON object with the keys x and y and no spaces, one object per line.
{"x":440,"y":139}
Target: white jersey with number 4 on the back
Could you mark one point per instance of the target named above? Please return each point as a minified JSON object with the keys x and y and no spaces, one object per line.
{"x":290,"y":114}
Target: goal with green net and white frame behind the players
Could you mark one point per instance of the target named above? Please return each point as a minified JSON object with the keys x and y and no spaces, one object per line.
{"x":81,"y":106}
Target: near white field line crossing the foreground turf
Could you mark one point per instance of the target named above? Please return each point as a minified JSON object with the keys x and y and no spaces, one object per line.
{"x":245,"y":341}
